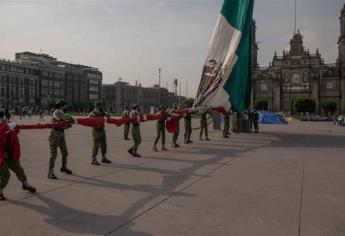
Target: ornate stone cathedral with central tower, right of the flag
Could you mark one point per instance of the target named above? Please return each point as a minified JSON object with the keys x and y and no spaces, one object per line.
{"x":300,"y":73}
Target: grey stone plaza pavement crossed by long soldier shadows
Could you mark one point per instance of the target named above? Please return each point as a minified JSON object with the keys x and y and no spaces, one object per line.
{"x":287,"y":180}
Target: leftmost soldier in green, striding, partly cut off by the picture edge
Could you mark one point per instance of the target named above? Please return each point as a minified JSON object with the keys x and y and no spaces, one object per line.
{"x":9,"y":163}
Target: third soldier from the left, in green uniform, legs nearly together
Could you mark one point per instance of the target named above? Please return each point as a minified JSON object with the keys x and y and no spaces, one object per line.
{"x":99,"y":136}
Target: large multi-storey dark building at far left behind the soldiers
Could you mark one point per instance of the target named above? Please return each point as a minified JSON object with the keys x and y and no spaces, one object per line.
{"x":39,"y":80}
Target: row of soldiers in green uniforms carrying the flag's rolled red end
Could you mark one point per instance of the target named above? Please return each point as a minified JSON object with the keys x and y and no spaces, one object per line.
{"x":57,"y":139}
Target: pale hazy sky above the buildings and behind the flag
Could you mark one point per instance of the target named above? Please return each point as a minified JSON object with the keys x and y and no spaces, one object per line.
{"x":131,"y":39}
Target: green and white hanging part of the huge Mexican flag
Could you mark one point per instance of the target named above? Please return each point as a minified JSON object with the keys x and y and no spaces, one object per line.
{"x":226,"y":77}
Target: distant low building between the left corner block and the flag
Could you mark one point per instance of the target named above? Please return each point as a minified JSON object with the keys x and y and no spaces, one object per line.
{"x":116,"y":96}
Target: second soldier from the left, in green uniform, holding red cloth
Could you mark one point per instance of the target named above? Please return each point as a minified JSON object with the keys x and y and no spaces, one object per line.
{"x":57,"y":140}
